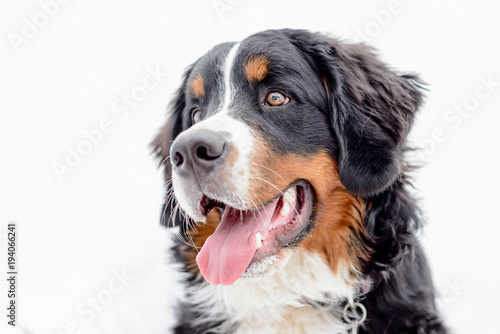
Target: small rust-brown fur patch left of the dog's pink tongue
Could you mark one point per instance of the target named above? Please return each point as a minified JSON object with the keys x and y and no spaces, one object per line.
{"x":198,"y":235}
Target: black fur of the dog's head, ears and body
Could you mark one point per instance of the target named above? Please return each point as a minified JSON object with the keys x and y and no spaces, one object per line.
{"x":362,"y":117}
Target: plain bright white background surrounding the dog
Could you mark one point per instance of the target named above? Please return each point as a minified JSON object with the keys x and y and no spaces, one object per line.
{"x":103,"y":216}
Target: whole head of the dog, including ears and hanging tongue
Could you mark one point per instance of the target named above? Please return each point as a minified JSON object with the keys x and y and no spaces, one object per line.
{"x":277,"y":144}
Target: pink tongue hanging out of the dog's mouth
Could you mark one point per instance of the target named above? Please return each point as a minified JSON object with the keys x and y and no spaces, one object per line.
{"x":228,"y":252}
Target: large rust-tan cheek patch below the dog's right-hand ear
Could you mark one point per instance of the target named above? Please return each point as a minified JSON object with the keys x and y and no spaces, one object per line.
{"x":339,"y":215}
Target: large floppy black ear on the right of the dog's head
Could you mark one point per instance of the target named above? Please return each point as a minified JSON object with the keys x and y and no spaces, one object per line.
{"x":372,"y":110}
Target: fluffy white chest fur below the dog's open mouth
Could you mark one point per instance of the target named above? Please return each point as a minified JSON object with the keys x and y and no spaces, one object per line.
{"x":280,"y":302}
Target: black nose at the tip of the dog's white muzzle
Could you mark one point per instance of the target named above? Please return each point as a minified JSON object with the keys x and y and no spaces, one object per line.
{"x":199,"y":151}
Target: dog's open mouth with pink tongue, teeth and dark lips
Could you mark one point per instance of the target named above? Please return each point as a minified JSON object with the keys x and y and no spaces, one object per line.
{"x":244,"y":237}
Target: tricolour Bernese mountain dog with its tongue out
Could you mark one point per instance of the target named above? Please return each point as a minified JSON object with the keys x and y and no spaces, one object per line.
{"x":286,"y":177}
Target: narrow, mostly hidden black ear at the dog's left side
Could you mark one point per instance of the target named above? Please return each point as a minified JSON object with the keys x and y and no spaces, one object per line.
{"x":161,"y":149}
